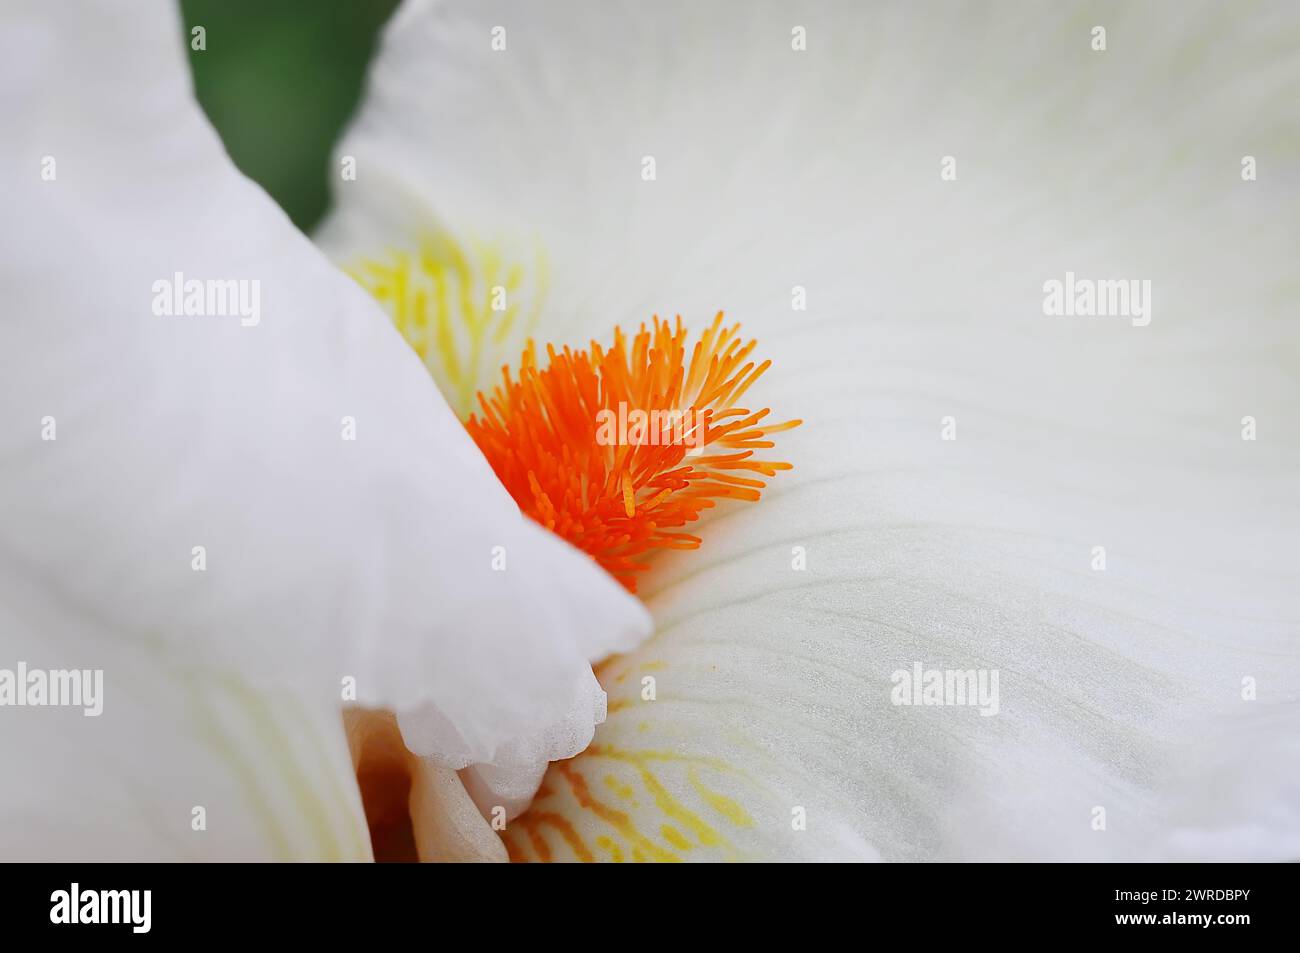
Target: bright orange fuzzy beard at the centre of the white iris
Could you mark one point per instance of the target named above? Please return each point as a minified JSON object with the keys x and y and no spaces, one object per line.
{"x":621,"y":501}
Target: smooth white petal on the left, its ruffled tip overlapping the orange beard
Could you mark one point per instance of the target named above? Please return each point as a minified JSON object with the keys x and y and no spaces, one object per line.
{"x":327,"y":558}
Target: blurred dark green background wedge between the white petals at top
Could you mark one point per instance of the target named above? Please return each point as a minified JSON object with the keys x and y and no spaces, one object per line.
{"x":280,"y":80}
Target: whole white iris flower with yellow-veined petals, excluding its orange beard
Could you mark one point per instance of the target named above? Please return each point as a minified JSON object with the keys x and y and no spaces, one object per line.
{"x":1090,"y":509}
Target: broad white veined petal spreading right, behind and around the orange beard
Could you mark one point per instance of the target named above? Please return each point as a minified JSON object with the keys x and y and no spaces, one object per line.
{"x":821,"y":170}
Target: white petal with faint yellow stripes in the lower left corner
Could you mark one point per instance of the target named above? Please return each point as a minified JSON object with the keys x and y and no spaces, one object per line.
{"x":175,"y":766}
